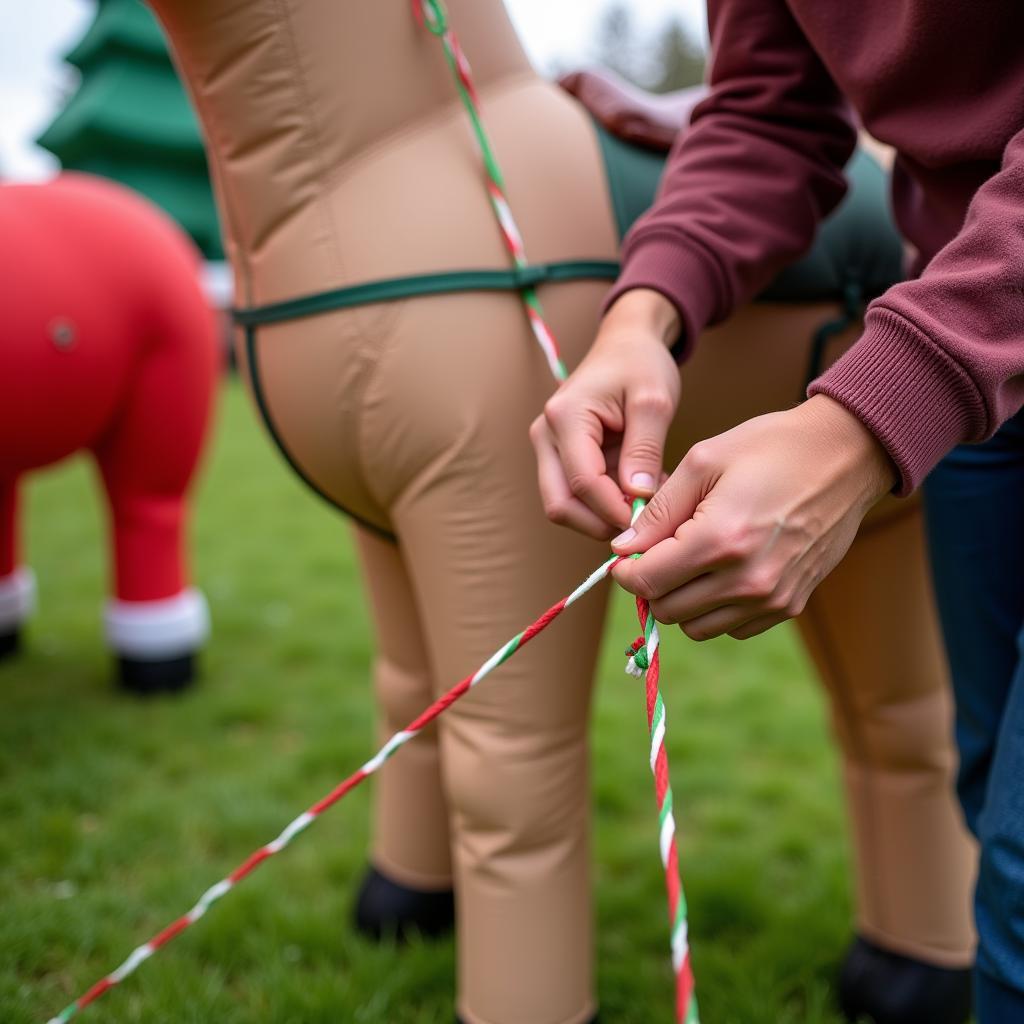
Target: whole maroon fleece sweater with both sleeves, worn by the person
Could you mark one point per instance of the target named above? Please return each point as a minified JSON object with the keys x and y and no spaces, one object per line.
{"x":942,"y":360}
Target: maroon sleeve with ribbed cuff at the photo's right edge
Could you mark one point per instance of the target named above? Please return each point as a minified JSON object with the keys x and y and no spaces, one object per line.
{"x":942,"y":360}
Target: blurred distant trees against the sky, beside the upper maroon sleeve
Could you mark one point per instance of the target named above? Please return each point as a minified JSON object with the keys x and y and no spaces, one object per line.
{"x":666,"y":60}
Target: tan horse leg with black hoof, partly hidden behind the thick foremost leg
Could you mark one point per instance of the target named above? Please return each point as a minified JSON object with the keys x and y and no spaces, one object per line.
{"x":409,"y":886}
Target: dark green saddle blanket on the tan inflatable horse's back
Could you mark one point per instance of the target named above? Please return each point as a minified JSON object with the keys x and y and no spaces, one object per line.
{"x":859,"y":244}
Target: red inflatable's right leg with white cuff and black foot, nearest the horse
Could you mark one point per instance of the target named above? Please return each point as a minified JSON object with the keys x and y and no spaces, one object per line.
{"x":148,"y":459}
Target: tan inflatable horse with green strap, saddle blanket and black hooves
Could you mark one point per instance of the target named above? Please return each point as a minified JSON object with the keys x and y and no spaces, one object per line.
{"x":388,"y":350}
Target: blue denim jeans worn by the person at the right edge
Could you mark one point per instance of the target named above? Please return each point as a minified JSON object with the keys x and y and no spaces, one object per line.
{"x":975,"y":514}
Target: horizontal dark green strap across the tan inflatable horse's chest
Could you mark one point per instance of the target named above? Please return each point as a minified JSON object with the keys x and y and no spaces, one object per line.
{"x":511,"y":280}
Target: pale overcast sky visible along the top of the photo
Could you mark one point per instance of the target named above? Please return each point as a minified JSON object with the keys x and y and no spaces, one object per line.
{"x":35,"y":34}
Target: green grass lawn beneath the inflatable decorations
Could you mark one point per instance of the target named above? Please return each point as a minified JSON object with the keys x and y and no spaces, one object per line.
{"x":117,"y":814}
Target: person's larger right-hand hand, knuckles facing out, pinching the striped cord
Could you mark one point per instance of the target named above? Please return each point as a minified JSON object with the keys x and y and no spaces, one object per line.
{"x":753,"y":520}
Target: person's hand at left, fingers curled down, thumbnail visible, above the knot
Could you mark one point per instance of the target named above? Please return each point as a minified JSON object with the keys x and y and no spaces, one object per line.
{"x":603,"y":434}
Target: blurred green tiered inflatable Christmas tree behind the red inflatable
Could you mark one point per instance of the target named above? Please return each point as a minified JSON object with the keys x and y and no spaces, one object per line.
{"x":131,"y":120}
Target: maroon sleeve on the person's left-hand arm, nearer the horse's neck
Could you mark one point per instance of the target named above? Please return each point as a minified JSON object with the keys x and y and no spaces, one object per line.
{"x":747,"y":185}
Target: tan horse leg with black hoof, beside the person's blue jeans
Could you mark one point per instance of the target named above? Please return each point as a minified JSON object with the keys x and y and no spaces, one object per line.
{"x":871,"y":628}
